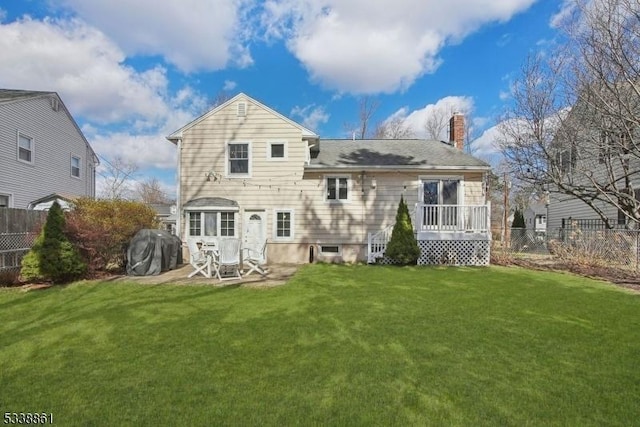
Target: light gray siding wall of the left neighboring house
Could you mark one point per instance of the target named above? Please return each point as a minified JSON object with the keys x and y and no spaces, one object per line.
{"x":55,"y":140}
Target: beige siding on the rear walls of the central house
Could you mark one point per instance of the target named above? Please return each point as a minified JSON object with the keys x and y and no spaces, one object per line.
{"x":285,"y":185}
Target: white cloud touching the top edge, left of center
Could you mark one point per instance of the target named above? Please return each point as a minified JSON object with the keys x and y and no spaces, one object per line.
{"x":194,"y":35}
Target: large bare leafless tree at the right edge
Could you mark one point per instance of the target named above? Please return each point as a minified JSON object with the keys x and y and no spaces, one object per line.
{"x":575,"y":121}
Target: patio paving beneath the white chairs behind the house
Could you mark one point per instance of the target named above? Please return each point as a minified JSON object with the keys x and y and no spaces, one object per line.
{"x":278,"y":274}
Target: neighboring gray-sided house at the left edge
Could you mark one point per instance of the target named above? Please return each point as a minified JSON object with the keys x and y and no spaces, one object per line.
{"x":42,"y":150}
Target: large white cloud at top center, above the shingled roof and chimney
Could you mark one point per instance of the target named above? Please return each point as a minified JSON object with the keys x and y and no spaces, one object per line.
{"x":360,"y":46}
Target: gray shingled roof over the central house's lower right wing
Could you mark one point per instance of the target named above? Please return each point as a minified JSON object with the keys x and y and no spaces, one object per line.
{"x":392,"y":154}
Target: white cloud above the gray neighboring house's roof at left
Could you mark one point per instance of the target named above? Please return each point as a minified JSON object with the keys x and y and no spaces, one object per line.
{"x":83,"y":66}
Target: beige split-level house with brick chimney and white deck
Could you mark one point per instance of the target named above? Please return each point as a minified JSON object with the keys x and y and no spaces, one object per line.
{"x":247,"y":171}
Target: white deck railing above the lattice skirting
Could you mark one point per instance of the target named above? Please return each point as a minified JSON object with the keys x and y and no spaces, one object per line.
{"x":452,"y":218}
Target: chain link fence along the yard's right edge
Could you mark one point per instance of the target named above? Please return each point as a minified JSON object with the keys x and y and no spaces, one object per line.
{"x":618,"y":248}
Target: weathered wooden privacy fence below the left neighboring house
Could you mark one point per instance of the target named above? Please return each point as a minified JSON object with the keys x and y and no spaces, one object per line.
{"x":18,"y":230}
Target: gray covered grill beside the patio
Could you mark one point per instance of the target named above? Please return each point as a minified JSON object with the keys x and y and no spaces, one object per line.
{"x":152,"y":252}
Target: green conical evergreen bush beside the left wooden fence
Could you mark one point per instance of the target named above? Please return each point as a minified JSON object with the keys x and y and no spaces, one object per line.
{"x":53,"y":257}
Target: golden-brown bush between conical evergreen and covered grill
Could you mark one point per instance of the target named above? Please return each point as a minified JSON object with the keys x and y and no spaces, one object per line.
{"x":102,"y":230}
